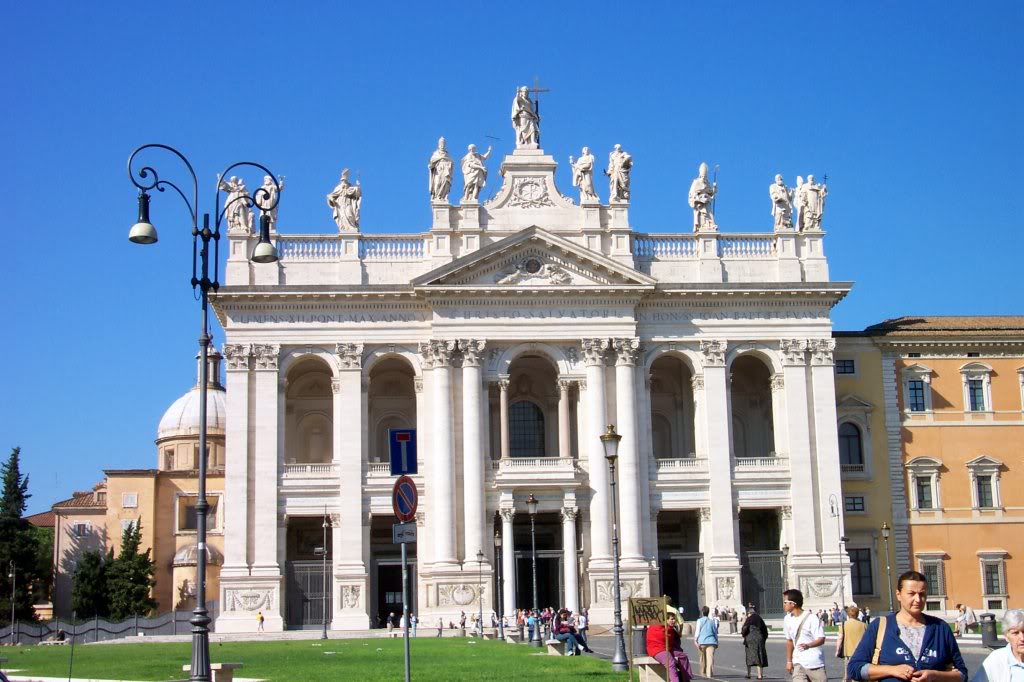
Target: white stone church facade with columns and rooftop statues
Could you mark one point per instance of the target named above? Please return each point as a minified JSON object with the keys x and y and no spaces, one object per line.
{"x":509,"y":336}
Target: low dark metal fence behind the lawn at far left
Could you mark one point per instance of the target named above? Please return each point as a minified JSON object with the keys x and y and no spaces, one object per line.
{"x":102,"y":630}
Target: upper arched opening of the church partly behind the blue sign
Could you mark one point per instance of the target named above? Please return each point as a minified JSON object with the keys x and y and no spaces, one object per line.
{"x":393,"y":404}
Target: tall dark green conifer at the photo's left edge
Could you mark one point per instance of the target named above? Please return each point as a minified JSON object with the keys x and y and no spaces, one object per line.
{"x":19,"y":546}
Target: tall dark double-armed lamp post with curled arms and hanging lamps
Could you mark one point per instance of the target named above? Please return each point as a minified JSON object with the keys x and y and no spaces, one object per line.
{"x":144,"y":233}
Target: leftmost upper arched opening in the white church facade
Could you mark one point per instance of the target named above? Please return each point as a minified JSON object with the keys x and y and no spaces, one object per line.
{"x":309,"y":405}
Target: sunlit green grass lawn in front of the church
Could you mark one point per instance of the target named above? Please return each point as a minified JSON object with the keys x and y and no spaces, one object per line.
{"x":454,"y":659}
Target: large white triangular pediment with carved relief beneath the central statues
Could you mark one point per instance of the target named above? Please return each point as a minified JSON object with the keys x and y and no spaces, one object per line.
{"x":534,"y":259}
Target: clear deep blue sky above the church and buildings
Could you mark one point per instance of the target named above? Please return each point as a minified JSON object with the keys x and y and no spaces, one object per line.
{"x":914,"y":110}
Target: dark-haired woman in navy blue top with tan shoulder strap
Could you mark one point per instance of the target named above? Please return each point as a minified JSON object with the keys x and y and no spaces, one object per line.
{"x":913,"y":647}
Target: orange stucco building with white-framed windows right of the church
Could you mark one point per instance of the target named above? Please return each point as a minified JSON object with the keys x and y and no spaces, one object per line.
{"x":955,"y":417}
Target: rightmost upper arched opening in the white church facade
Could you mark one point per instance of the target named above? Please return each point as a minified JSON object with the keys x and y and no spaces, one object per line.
{"x":753,"y":430}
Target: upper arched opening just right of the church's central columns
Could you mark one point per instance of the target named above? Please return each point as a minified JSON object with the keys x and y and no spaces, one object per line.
{"x":672,"y":409}
